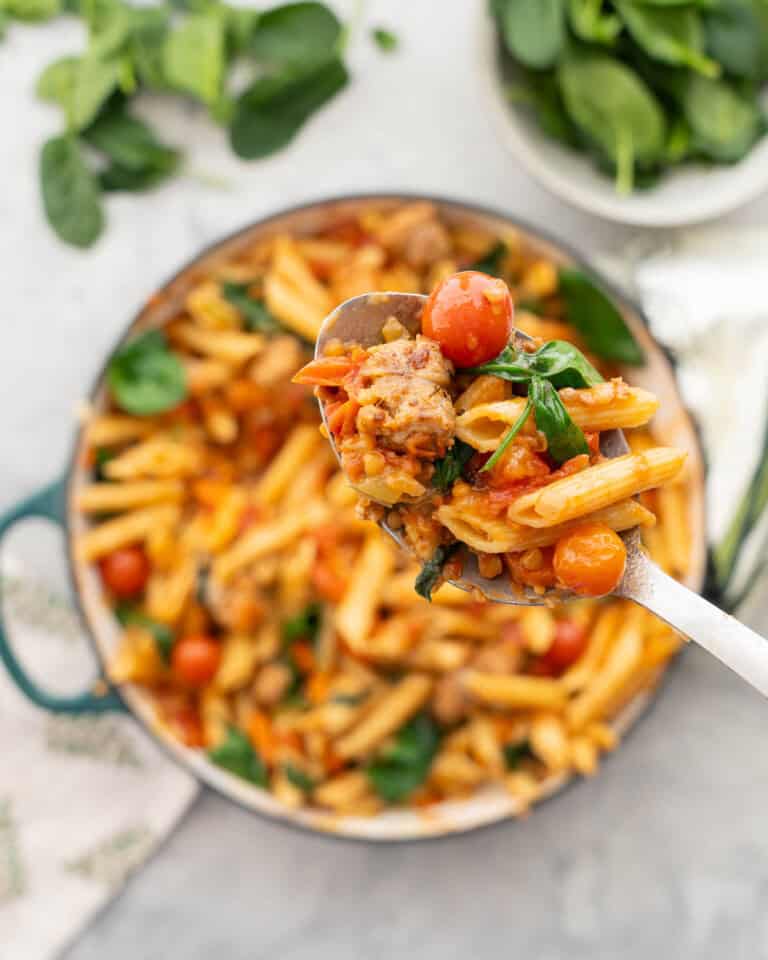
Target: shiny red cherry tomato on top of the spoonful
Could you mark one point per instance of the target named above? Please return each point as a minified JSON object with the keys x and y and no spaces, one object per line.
{"x":470,"y":316}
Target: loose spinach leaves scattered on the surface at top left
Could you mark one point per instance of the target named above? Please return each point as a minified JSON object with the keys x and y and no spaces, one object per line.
{"x":260,"y":74}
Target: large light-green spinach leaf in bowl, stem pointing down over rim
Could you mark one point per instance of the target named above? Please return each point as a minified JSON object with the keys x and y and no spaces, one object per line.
{"x":615,"y":111}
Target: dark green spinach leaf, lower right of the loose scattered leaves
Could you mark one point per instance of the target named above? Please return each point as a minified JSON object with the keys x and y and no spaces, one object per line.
{"x":270,"y":113}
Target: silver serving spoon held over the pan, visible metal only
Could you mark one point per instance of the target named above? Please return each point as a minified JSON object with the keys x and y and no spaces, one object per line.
{"x":360,"y":320}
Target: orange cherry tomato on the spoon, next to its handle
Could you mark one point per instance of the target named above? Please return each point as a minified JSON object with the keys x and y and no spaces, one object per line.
{"x":590,"y":559}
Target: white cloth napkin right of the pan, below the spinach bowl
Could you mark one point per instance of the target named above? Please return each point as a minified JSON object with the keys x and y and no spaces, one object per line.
{"x":704,"y":293}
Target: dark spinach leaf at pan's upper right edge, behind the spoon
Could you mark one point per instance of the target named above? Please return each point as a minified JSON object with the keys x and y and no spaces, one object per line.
{"x":597,"y":319}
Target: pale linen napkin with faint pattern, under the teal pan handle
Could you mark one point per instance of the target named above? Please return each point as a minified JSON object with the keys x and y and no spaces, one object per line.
{"x":84,"y":800}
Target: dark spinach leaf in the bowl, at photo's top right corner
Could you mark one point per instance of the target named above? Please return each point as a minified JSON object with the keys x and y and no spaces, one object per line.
{"x":737,"y":36}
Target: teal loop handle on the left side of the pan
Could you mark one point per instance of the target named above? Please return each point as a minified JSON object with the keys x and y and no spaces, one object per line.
{"x":50,"y":504}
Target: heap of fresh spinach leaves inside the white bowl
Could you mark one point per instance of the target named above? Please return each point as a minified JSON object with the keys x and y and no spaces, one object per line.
{"x":640,"y":85}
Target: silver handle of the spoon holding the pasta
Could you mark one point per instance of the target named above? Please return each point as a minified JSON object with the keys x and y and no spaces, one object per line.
{"x":738,"y":647}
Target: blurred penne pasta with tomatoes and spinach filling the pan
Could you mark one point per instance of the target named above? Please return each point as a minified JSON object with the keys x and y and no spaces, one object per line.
{"x":277,"y":630}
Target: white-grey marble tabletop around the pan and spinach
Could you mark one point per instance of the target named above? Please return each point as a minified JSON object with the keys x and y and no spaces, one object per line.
{"x":665,"y":854}
